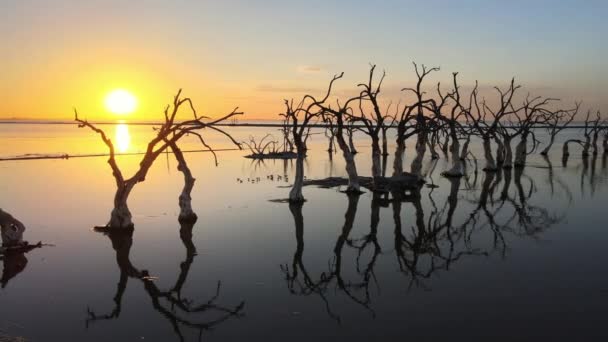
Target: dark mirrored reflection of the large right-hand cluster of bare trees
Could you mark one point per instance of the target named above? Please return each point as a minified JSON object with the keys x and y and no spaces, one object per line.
{"x":430,"y":241}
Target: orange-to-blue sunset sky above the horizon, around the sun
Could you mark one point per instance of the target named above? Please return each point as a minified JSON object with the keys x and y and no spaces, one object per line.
{"x":60,"y":54}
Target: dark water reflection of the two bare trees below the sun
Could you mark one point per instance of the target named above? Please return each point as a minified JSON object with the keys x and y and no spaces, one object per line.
{"x":179,"y":306}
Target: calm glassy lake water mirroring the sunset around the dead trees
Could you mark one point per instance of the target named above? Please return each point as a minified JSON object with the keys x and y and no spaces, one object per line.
{"x":517,"y":256}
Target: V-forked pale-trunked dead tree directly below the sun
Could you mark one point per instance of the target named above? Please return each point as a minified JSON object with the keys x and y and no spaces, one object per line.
{"x":170,"y":132}
